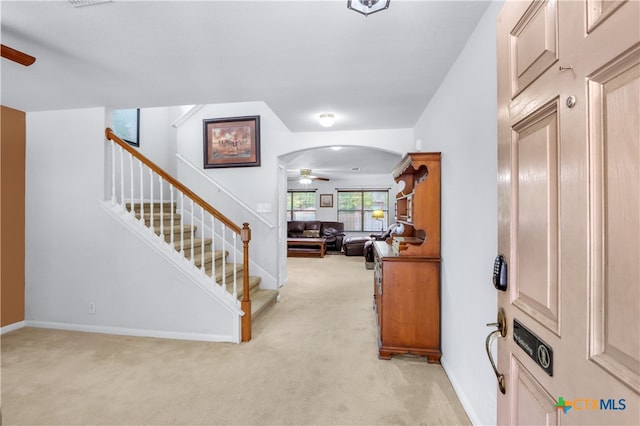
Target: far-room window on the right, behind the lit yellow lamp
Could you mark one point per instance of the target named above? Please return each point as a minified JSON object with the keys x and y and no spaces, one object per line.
{"x":355,"y":209}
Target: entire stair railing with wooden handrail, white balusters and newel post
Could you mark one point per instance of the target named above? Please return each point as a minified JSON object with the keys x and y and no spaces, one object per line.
{"x":130,"y":187}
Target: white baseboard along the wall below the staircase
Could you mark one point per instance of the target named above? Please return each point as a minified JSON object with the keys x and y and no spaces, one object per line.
{"x":158,"y":334}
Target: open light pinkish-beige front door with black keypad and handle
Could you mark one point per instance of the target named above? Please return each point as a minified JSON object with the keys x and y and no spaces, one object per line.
{"x":569,"y":215}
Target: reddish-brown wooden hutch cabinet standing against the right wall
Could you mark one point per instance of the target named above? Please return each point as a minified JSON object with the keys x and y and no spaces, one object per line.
{"x":407,"y":268}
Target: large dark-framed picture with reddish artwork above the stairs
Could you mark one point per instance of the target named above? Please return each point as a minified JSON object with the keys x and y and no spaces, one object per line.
{"x":232,"y":142}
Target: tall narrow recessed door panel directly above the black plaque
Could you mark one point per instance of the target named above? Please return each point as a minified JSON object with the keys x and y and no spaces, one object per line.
{"x":536,"y":192}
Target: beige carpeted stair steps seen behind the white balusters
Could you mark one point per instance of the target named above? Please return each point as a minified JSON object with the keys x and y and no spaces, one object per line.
{"x":167,"y":221}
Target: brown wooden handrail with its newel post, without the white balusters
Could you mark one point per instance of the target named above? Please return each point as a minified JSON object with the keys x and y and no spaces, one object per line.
{"x":244,"y":232}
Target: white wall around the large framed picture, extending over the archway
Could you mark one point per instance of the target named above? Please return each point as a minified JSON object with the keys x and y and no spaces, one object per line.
{"x":253,"y":185}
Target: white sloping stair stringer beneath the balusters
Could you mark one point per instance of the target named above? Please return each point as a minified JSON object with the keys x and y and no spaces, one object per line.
{"x":177,"y":260}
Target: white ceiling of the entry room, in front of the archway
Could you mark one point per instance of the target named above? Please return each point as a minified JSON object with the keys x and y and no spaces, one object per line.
{"x":301,"y":58}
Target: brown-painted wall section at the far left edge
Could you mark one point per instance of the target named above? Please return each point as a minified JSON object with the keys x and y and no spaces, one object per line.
{"x":12,"y":184}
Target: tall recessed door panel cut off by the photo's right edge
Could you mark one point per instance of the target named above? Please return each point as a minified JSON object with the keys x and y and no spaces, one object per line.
{"x":614,"y":92}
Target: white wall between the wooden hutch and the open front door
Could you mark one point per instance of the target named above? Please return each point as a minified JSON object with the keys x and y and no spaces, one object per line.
{"x":460,"y":121}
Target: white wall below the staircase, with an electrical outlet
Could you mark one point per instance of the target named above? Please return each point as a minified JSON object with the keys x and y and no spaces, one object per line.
{"x":76,"y":253}
